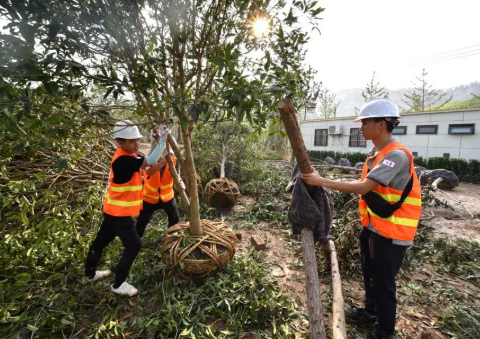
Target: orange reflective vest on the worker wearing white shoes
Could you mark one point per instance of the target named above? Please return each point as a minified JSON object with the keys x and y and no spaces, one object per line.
{"x":124,"y":200}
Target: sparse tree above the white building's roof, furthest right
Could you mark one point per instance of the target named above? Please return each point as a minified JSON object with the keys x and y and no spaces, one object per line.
{"x":423,"y":96}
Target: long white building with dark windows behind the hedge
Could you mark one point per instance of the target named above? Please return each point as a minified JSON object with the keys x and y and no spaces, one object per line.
{"x":428,"y":134}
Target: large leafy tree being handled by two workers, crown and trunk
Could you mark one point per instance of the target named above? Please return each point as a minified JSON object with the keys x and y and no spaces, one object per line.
{"x":184,"y":62}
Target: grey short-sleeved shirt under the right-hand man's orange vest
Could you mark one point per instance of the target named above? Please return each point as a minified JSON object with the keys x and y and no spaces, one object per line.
{"x":391,"y":171}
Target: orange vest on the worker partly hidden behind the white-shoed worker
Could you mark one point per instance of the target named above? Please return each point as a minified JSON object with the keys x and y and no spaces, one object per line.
{"x":159,"y":187}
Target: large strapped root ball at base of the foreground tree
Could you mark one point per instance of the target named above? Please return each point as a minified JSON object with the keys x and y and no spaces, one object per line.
{"x":198,"y":256}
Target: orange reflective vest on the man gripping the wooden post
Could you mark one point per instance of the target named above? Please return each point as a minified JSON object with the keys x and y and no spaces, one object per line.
{"x":402,"y":224}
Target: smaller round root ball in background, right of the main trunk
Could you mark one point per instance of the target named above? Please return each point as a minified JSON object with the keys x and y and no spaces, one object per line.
{"x":222,"y":194}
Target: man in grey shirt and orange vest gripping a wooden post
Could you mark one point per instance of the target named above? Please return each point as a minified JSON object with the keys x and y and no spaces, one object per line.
{"x":390,"y":208}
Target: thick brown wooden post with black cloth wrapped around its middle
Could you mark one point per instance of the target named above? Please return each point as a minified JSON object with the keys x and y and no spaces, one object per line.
{"x":314,"y":304}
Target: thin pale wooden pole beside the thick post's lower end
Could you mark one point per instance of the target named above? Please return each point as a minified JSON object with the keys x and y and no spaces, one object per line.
{"x":338,"y":313}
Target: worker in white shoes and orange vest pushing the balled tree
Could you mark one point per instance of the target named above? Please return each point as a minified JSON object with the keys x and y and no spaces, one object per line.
{"x":124,"y":200}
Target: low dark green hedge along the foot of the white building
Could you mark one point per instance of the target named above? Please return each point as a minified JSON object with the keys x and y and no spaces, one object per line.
{"x":466,"y":170}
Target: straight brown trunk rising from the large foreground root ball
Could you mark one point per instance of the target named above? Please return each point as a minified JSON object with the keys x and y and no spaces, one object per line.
{"x":194,"y":211}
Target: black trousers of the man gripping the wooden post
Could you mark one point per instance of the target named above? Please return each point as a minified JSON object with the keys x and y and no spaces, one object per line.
{"x":381,"y":261}
